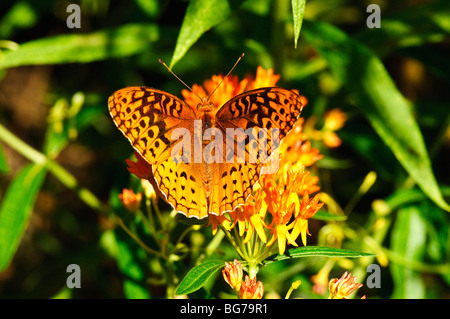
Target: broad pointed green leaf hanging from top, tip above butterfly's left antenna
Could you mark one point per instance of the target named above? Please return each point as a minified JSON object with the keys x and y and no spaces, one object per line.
{"x":201,"y":15}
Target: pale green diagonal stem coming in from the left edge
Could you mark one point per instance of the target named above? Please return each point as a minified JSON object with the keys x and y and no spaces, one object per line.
{"x":57,"y":170}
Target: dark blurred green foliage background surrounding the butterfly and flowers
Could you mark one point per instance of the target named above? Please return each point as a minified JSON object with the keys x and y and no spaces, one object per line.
{"x":392,"y":83}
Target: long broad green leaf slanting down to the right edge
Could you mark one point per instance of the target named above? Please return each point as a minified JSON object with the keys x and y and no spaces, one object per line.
{"x":374,"y":92}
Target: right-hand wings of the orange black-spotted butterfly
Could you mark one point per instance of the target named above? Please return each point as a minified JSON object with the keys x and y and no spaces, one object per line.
{"x":260,"y":111}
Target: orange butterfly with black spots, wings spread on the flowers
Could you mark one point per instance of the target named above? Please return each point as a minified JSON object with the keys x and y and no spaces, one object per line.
{"x":217,"y":173}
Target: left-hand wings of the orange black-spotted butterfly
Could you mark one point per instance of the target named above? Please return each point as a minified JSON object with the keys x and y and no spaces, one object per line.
{"x":148,"y":117}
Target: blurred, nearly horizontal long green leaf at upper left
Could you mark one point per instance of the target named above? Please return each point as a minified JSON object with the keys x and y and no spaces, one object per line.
{"x":81,"y":48}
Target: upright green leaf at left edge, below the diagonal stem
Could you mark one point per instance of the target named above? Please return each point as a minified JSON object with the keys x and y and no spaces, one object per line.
{"x":16,"y":208}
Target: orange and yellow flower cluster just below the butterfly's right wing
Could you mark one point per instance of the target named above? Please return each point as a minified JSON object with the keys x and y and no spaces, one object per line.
{"x":275,"y":209}
